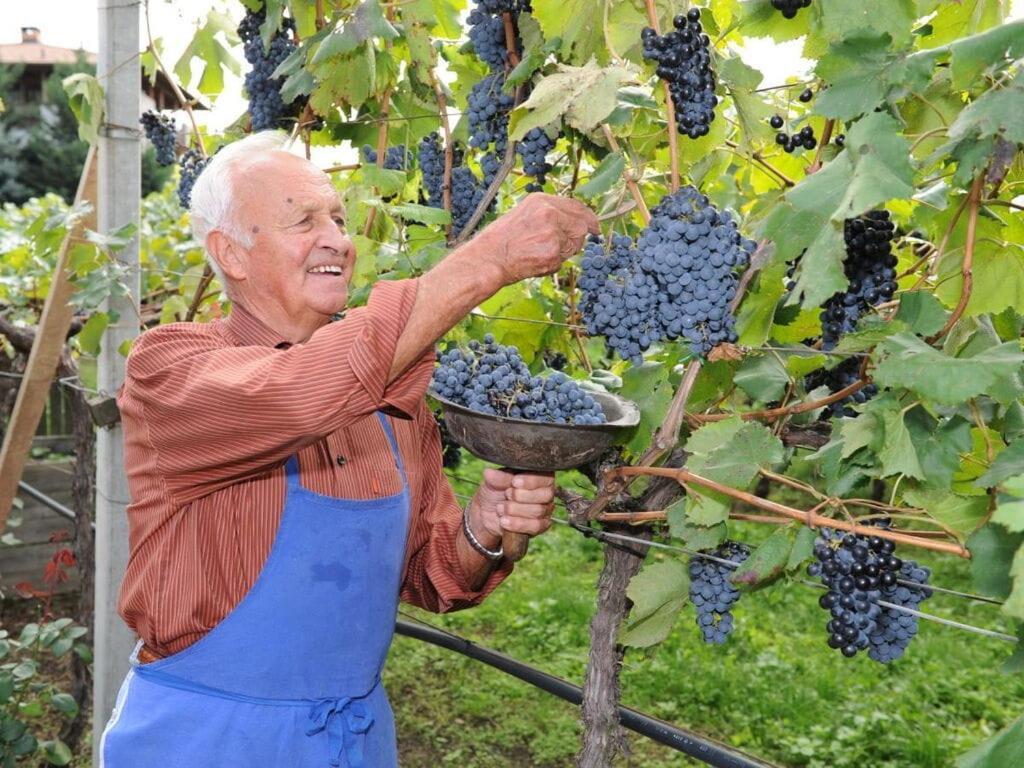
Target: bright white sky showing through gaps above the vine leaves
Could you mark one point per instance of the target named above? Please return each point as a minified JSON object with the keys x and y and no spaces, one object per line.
{"x":73,"y":24}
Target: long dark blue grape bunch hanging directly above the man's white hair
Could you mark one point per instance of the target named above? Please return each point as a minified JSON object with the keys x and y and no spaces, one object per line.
{"x":266,"y":105}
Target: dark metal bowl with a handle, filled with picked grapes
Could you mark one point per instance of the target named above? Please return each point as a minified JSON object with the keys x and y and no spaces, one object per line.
{"x":539,"y":447}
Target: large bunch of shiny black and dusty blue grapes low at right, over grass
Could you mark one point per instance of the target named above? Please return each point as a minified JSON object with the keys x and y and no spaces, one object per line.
{"x":860,"y":572}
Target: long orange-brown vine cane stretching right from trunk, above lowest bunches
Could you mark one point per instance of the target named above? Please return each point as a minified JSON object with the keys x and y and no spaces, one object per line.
{"x":684,"y":477}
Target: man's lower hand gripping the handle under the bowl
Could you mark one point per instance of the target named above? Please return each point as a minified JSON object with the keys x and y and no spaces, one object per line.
{"x":520,"y":503}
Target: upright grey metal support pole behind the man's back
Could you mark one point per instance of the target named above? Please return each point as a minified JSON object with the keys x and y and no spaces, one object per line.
{"x":120,"y":193}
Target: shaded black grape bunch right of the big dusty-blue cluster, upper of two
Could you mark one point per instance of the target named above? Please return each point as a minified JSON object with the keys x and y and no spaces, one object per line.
{"x":871,"y":268}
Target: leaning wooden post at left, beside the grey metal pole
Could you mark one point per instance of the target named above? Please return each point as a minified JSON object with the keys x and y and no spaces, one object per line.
{"x":46,"y":356}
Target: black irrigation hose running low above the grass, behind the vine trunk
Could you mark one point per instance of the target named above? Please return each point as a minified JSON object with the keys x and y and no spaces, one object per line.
{"x":701,"y":748}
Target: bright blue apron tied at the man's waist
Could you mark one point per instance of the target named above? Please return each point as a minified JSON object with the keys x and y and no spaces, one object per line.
{"x":291,"y":677}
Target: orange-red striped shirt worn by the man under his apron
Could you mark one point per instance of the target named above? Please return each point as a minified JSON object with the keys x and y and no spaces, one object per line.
{"x":212,"y":411}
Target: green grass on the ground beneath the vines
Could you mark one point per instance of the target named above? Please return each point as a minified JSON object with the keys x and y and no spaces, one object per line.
{"x":776,"y":690}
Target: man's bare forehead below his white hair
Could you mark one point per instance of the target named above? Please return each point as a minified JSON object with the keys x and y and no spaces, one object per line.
{"x":279,"y":182}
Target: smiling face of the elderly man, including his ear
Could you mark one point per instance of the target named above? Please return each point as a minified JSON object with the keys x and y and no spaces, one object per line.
{"x":296,"y":272}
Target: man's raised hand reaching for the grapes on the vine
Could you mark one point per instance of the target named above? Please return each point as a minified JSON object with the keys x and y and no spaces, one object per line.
{"x":537,"y":237}
